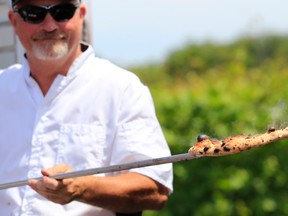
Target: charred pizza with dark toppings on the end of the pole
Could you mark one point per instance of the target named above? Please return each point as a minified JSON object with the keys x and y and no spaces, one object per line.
{"x":205,"y":146}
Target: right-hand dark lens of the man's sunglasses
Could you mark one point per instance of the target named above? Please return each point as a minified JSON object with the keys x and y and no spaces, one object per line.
{"x":63,"y":12}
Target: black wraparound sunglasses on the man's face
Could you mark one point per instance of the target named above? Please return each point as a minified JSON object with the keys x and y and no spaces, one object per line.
{"x":35,"y":14}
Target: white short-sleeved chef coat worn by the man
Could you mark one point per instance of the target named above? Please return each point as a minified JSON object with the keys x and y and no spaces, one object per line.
{"x":97,"y":115}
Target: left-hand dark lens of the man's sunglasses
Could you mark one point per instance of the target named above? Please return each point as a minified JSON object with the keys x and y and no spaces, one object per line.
{"x":32,"y":14}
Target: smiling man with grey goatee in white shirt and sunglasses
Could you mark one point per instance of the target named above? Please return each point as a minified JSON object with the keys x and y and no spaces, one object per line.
{"x":64,"y":109}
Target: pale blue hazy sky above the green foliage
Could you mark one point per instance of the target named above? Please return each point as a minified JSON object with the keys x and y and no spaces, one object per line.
{"x":134,"y":32}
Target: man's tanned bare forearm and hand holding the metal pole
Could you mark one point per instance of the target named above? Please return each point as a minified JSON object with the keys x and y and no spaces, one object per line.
{"x":127,"y":192}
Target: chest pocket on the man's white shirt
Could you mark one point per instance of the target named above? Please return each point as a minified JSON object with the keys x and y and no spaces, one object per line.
{"x":81,"y":146}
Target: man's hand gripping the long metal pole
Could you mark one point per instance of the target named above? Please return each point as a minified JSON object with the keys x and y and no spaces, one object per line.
{"x":58,"y":191}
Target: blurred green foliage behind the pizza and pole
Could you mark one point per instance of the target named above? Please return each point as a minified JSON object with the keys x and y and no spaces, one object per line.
{"x":223,"y":90}
